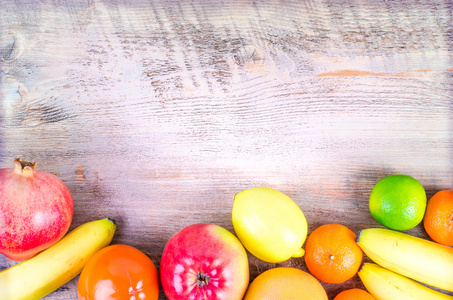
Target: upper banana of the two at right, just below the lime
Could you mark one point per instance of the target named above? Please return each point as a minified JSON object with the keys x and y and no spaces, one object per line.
{"x":422,"y":260}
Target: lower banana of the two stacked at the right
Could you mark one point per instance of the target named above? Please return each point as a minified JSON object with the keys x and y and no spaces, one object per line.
{"x":384,"y":284}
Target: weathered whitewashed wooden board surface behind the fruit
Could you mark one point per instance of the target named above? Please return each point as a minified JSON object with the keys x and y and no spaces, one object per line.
{"x":155,"y":113}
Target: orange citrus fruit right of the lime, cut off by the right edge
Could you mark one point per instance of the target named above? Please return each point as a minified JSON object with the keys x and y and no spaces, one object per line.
{"x":438,"y":219}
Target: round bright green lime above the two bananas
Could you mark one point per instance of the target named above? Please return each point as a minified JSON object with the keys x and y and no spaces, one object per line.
{"x":398,"y":202}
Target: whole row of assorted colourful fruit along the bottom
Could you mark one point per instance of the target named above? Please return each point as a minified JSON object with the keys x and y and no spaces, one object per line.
{"x":206,"y":261}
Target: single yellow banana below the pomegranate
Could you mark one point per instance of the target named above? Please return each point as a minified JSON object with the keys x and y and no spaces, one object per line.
{"x":48,"y":270}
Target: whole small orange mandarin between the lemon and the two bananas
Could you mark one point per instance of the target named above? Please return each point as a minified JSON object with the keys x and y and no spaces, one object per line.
{"x":332,"y":254}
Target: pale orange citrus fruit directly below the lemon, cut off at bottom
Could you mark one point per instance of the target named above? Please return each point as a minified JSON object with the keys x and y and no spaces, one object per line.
{"x":285,"y":283}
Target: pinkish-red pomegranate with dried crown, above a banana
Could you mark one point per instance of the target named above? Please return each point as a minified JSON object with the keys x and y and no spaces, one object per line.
{"x":35,"y":210}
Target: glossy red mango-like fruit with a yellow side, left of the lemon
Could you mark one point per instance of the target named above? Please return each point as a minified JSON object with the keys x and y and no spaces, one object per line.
{"x":204,"y":261}
